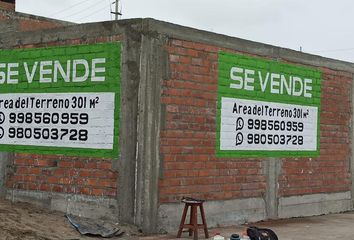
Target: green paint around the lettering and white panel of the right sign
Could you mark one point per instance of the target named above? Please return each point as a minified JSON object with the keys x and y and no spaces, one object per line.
{"x":228,"y":60}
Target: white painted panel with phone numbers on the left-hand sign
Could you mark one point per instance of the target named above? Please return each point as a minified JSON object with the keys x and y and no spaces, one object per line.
{"x":72,"y":120}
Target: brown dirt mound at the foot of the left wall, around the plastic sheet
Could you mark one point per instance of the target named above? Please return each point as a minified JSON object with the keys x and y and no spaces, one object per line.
{"x":22,"y":221}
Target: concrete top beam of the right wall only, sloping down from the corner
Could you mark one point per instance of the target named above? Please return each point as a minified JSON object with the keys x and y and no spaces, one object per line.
{"x":247,"y":46}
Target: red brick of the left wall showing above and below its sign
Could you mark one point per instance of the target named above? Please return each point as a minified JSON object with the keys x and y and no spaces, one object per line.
{"x":64,"y":174}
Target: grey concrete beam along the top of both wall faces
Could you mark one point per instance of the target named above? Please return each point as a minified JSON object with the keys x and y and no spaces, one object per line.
{"x":170,"y":30}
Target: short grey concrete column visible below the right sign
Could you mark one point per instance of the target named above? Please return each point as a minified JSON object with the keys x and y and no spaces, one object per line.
{"x":272,"y":168}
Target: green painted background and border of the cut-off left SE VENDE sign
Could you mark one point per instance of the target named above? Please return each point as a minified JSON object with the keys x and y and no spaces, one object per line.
{"x":110,"y":50}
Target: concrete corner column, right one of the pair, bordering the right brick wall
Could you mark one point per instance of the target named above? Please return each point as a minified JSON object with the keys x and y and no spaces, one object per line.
{"x":152,"y":69}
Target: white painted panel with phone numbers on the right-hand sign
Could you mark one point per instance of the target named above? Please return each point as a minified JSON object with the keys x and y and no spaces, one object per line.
{"x":259,"y":125}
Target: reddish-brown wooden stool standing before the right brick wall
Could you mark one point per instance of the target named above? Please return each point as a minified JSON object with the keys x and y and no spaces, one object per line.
{"x":193,"y":225}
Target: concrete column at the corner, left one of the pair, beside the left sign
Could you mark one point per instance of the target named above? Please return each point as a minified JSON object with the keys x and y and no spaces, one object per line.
{"x":128,"y":131}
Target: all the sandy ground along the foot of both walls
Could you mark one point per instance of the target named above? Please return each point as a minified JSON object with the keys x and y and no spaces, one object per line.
{"x":22,"y":221}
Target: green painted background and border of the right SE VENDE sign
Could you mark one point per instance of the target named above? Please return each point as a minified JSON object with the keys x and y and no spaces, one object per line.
{"x":225,"y":60}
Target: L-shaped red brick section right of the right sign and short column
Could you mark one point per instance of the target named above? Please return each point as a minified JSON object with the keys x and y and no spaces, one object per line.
{"x":330,"y":172}
